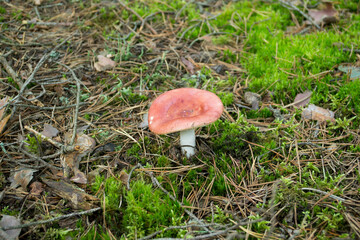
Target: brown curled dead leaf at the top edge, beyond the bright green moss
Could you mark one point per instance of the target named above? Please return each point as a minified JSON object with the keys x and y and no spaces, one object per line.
{"x":327,"y":14}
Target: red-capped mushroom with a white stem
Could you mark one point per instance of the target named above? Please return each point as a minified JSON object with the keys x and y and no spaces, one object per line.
{"x":182,"y":110}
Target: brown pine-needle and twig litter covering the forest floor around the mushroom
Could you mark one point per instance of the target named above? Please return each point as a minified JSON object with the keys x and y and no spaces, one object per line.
{"x":77,"y":78}
